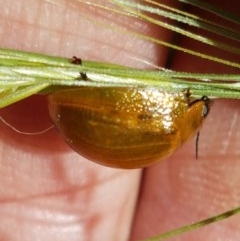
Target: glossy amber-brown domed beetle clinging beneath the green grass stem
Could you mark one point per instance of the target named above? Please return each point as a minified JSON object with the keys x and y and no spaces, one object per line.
{"x":126,"y":127}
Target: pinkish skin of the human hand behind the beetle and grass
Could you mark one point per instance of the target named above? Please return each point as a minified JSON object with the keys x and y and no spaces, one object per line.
{"x":48,"y":192}
